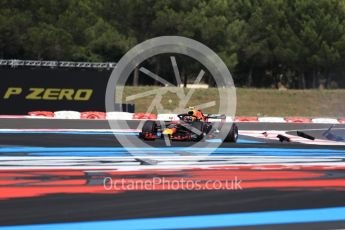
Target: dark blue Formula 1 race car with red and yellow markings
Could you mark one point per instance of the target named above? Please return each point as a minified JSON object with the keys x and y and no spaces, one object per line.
{"x":192,"y":126}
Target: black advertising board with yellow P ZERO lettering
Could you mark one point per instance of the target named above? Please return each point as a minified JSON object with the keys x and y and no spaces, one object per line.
{"x":23,"y":90}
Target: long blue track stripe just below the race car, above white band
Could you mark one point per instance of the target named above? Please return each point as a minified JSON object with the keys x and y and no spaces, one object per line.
{"x":169,"y":151}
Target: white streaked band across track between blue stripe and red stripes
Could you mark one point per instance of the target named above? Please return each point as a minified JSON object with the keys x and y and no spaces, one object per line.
{"x":125,"y":163}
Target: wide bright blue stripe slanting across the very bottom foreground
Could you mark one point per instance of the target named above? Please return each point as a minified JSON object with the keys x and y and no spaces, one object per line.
{"x":204,"y":221}
